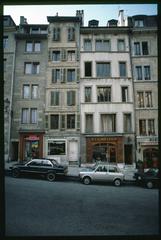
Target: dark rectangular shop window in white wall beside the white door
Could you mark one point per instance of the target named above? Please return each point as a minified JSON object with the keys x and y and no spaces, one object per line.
{"x":56,"y":147}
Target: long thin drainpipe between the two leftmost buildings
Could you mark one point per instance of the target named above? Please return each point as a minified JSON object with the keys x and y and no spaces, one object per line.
{"x":10,"y":106}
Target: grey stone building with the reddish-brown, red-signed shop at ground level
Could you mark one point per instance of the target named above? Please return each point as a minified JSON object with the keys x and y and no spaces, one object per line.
{"x":27,"y":135}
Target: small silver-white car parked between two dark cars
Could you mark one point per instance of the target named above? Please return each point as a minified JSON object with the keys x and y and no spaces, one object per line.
{"x":102,"y":172}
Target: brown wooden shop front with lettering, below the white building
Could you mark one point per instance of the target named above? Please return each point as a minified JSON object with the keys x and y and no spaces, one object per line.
{"x":106,"y":149}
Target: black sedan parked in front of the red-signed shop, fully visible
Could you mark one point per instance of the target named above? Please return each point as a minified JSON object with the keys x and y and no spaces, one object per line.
{"x":46,"y":167}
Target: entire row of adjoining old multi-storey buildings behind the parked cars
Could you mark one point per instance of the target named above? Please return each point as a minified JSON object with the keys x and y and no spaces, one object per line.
{"x":82,"y":94}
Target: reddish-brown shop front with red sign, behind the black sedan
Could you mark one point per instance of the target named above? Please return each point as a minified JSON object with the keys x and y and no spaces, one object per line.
{"x":31,"y":145}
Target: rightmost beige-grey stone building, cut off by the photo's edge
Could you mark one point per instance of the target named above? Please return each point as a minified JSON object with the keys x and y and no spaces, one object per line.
{"x":144,"y":58}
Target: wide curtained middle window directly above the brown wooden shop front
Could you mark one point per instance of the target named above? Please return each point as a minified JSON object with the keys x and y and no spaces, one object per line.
{"x":108,"y":123}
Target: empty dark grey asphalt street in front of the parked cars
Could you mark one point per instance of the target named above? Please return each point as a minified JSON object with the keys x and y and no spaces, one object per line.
{"x":36,"y":207}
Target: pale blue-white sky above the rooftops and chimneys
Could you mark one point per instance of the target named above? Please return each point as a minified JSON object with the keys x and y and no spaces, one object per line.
{"x":37,"y":14}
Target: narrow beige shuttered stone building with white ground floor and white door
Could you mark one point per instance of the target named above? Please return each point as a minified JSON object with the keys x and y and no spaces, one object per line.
{"x":62,"y":109}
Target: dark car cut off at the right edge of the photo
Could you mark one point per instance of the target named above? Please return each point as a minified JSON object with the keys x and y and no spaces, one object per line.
{"x":149,"y":178}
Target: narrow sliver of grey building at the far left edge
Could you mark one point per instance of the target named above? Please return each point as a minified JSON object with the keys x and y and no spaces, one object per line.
{"x":9,"y":46}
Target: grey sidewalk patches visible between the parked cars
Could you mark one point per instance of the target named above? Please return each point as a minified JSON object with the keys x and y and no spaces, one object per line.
{"x":73,"y":171}
